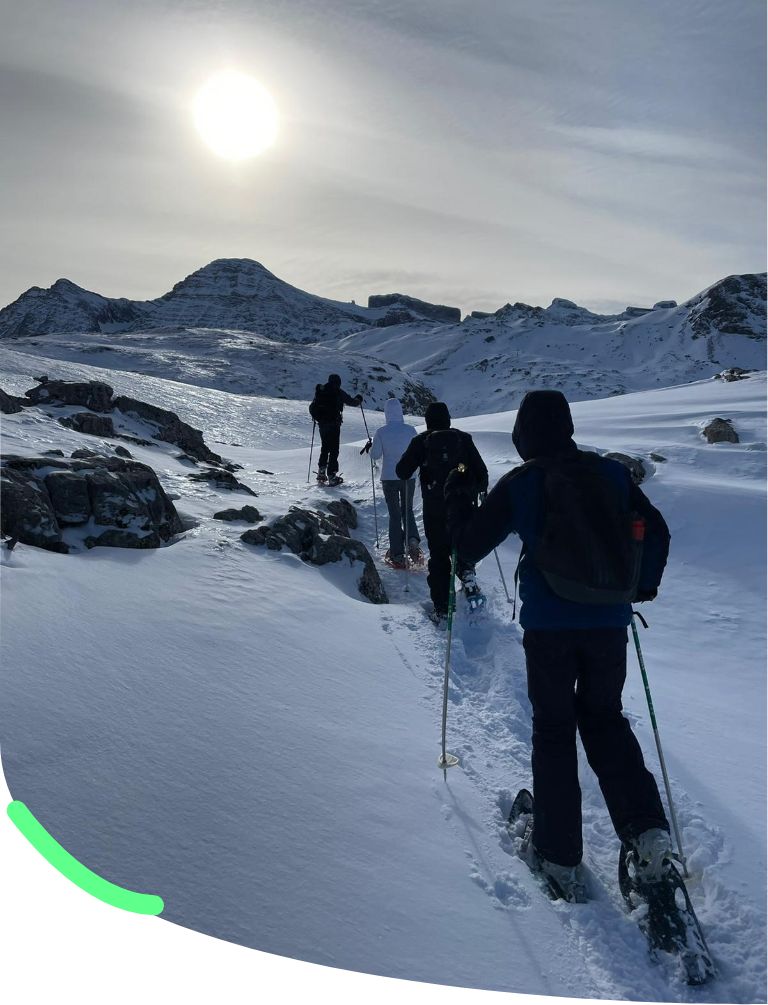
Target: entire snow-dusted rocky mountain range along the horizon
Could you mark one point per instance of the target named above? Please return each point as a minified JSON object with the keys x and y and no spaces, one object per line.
{"x":235,"y":326}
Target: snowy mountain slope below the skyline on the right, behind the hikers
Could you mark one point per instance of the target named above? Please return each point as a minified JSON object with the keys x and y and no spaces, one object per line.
{"x":489,"y":363}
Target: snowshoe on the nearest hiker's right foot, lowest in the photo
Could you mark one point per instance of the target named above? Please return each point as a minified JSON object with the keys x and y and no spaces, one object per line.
{"x":665,"y":913}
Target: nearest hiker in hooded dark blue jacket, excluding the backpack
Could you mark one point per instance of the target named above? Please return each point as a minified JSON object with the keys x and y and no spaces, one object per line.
{"x":575,"y":653}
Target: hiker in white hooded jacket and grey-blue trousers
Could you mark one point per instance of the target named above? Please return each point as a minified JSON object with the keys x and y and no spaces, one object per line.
{"x":390,"y":444}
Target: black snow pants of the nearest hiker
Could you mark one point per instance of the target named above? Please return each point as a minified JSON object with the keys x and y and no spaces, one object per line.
{"x":575,"y":680}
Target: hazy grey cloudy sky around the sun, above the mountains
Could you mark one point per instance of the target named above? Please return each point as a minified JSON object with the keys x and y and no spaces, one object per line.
{"x":606,"y":151}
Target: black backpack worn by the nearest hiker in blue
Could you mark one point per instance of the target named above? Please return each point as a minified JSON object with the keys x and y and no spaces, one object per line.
{"x":591,"y":546}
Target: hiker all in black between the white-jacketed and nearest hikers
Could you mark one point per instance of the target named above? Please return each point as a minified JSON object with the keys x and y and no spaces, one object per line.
{"x":437,"y":453}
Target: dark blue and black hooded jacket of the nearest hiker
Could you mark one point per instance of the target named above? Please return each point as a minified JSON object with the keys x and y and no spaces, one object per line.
{"x":544,"y":429}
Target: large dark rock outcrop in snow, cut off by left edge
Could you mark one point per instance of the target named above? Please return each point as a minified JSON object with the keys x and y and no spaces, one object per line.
{"x":121,"y":502}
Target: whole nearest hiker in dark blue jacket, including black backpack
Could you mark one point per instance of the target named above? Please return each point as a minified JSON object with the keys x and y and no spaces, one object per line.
{"x":593,"y":545}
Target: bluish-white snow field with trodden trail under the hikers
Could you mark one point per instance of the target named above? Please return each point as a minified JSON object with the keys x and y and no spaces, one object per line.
{"x":246,"y":736}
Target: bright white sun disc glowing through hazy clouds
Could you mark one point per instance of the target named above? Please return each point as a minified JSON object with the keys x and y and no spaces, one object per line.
{"x":236,"y":116}
